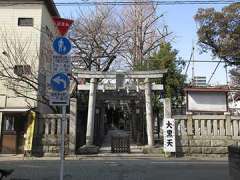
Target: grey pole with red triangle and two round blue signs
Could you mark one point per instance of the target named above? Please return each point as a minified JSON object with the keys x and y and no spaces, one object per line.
{"x":61,"y":68}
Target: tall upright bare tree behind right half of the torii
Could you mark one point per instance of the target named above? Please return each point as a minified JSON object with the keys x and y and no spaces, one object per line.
{"x":146,"y":34}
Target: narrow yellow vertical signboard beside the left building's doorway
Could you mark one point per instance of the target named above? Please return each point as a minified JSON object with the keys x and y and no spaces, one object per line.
{"x":30,"y":131}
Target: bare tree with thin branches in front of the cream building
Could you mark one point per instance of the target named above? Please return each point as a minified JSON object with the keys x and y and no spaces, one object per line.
{"x":23,"y":68}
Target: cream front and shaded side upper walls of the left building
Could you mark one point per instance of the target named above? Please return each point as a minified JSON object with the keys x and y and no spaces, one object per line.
{"x":36,"y":40}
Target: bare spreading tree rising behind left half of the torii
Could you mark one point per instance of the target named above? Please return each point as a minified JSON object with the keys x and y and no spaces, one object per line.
{"x":99,"y":37}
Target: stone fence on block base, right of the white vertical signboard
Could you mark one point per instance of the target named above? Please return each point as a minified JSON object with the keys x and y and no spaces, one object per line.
{"x":206,"y":134}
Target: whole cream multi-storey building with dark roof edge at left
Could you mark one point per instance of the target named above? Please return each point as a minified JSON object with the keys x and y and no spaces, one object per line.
{"x":25,"y":33}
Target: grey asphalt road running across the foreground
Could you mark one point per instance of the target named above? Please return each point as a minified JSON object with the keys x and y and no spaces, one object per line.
{"x":143,"y":169}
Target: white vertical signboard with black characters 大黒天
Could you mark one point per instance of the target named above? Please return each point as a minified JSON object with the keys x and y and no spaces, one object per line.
{"x":169,"y":135}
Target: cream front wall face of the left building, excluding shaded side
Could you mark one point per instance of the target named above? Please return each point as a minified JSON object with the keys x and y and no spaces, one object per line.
{"x":28,"y":38}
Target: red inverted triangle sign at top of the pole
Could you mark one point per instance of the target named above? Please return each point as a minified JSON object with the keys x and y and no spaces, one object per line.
{"x":62,"y":24}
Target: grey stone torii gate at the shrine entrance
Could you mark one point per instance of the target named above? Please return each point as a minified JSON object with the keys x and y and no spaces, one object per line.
{"x":147,"y":86}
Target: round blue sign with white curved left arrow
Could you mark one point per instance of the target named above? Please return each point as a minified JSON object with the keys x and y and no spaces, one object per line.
{"x":60,"y":82}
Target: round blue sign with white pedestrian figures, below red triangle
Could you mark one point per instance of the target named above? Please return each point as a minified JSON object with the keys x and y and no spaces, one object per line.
{"x":62,"y":45}
